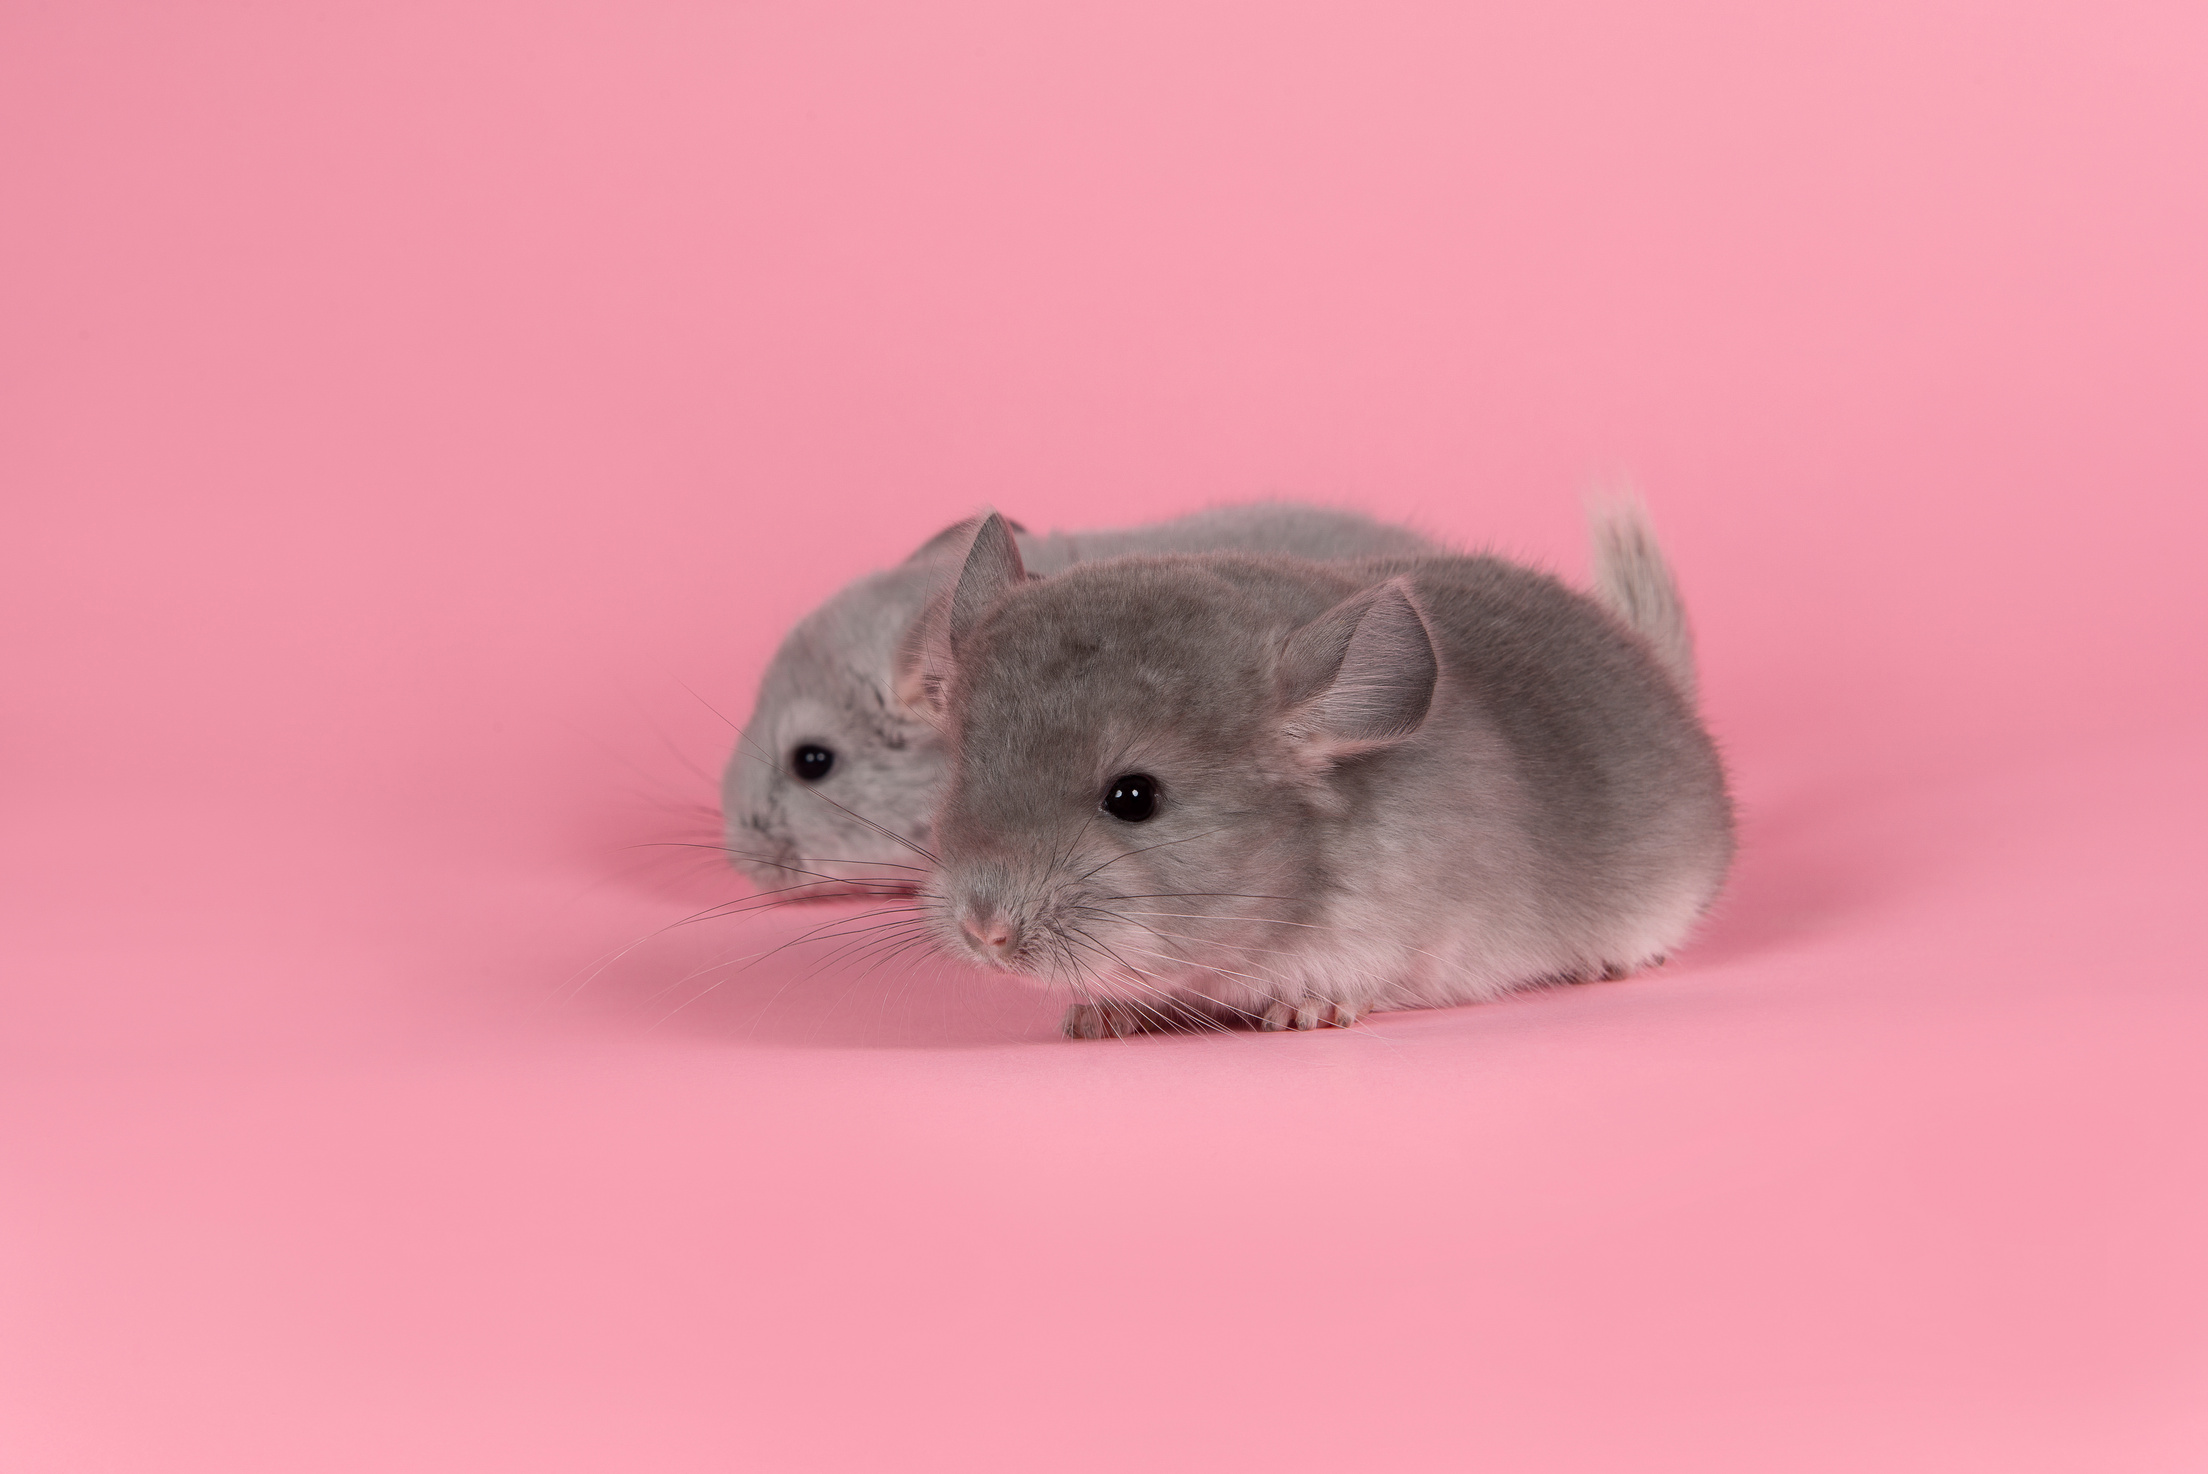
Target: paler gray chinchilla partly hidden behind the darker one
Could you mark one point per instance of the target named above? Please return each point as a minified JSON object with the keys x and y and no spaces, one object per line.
{"x":836,"y":776}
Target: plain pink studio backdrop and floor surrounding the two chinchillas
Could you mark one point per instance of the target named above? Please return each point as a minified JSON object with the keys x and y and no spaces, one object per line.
{"x":405,"y":403}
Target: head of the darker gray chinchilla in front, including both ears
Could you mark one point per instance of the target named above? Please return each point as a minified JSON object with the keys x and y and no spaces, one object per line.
{"x":1147,"y":758}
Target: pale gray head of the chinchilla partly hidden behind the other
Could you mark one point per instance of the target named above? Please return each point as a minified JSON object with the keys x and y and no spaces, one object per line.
{"x":834,"y":780}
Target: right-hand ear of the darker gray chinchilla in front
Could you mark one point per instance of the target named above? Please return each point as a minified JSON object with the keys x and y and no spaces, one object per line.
{"x":1361,"y":674}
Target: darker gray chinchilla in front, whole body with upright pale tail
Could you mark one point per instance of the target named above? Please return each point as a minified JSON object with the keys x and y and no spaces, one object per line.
{"x":1255,"y":787}
